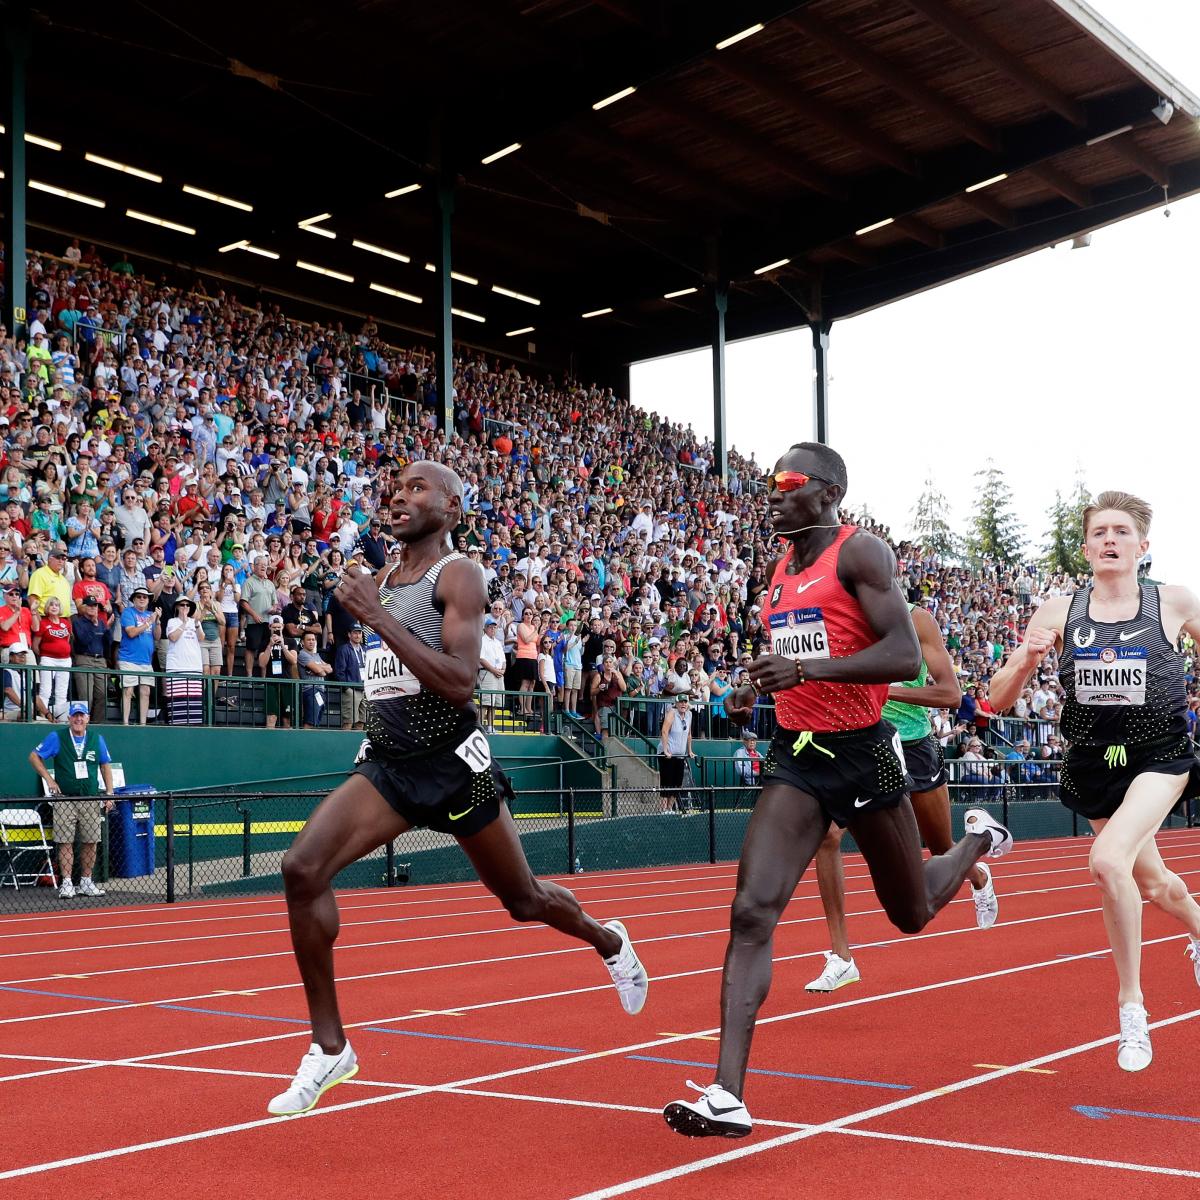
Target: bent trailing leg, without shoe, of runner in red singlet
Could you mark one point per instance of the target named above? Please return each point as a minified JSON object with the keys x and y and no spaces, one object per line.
{"x":911,"y":889}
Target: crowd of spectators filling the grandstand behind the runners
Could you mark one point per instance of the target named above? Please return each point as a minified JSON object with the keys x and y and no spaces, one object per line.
{"x":184,"y":479}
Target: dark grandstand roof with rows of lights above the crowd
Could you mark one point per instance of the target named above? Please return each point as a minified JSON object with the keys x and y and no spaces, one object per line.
{"x":863,"y":151}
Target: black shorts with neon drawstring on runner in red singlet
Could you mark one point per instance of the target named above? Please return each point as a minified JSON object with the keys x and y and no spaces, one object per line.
{"x":861,"y":771}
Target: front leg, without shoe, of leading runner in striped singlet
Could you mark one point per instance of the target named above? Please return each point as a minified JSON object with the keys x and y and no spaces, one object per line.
{"x":352,"y":821}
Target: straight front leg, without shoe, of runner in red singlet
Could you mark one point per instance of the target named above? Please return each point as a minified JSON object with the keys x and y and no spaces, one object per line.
{"x":782,"y":839}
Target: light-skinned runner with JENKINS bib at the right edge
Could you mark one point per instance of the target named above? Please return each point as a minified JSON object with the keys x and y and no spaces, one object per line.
{"x":1129,"y":758}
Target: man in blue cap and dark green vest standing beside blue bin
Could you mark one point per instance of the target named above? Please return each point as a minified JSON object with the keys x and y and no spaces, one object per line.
{"x":82,"y":772}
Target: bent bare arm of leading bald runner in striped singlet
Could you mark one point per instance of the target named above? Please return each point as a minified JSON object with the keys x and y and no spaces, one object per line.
{"x":451,"y":671}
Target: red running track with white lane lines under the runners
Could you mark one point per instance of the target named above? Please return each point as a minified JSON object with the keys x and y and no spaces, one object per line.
{"x":139,"y":1049}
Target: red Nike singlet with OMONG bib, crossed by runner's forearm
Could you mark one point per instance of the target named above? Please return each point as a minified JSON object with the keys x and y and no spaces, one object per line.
{"x":812,"y":616}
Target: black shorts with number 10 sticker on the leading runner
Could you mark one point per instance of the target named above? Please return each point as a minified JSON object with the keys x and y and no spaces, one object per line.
{"x":446,"y":791}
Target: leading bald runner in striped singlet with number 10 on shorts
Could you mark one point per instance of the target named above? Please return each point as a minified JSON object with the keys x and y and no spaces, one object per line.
{"x":425,"y":763}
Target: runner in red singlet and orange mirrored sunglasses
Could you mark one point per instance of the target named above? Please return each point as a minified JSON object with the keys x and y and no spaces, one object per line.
{"x":841,"y":633}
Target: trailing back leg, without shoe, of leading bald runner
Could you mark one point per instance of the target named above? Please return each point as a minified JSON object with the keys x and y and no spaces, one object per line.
{"x":500,"y":861}
